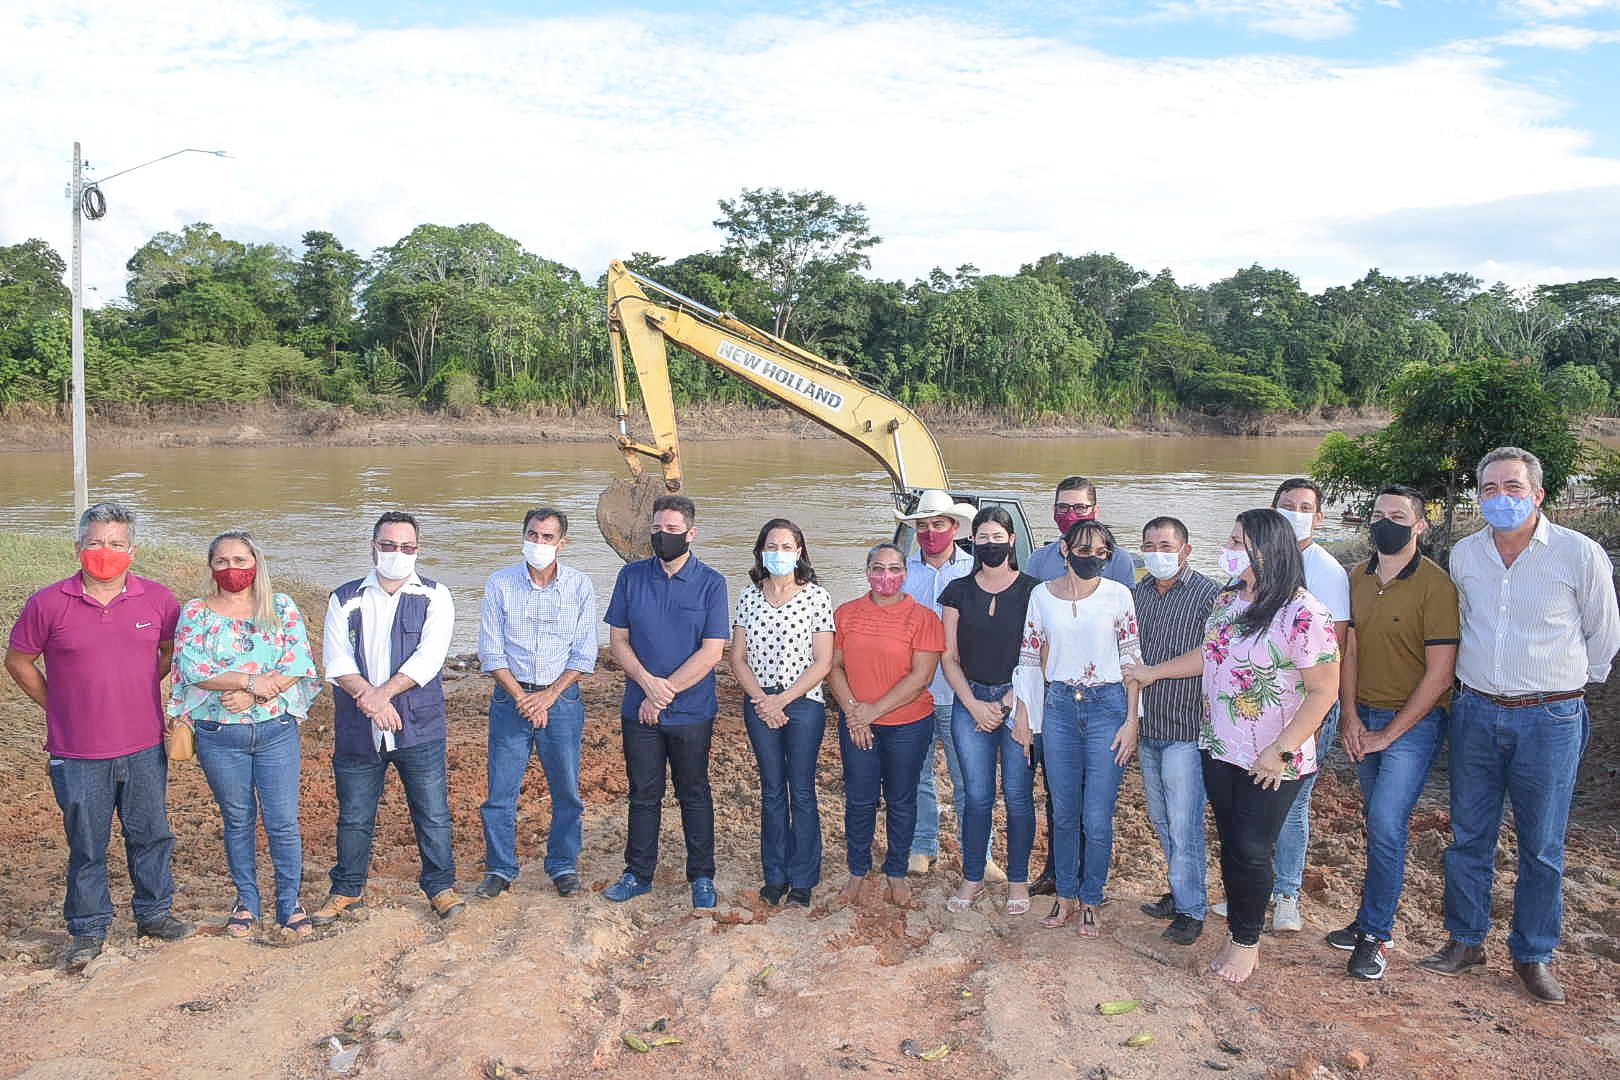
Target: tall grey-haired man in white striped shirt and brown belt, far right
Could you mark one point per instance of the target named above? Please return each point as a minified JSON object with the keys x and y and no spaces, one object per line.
{"x":1540,"y":623}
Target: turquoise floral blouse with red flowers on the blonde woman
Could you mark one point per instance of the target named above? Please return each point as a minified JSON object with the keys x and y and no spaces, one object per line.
{"x":208,"y":645}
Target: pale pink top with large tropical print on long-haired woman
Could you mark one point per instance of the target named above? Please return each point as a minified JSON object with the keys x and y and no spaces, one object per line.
{"x":1253,"y":686}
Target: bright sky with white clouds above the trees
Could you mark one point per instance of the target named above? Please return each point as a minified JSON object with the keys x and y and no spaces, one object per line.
{"x":1324,"y":137}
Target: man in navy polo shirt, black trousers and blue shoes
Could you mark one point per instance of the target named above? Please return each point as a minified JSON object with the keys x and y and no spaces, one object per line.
{"x":668,"y":627}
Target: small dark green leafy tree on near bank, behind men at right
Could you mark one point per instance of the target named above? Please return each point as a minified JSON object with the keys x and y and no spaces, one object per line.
{"x":1447,"y":417}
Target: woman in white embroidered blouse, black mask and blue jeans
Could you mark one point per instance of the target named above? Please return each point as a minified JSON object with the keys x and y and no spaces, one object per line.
{"x":1086,"y":626}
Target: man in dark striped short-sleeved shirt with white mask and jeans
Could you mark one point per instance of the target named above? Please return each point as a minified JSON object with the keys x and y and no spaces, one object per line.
{"x":1172,"y":606}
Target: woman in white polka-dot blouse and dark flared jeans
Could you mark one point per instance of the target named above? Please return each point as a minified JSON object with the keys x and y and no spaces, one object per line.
{"x":782,"y":648}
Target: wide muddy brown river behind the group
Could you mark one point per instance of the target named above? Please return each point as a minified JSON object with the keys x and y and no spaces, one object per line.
{"x":313,"y":508}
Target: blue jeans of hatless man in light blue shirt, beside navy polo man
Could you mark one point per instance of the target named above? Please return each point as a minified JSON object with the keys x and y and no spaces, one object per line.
{"x":513,"y":739}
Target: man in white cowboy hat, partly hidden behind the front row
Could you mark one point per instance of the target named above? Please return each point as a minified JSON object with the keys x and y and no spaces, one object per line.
{"x":936,"y":563}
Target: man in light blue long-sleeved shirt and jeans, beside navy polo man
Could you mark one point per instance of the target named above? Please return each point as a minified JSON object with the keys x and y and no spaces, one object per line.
{"x":537,"y":639}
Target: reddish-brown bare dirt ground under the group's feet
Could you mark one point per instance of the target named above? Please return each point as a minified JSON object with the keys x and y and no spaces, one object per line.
{"x":534,"y":985}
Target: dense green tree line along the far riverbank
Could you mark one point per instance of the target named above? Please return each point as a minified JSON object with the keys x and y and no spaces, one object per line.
{"x":464,"y":317}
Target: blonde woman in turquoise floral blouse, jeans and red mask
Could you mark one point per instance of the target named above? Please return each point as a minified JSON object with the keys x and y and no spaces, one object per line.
{"x":244,"y":679}
